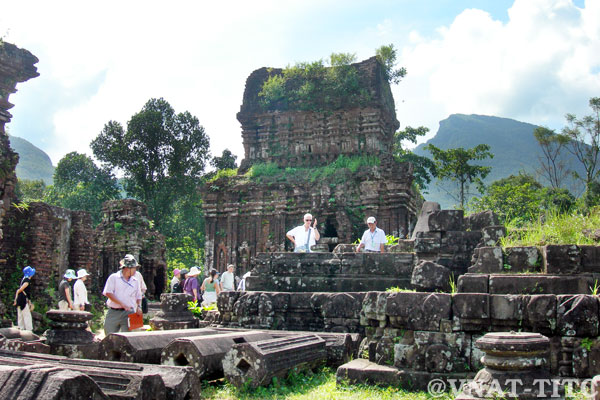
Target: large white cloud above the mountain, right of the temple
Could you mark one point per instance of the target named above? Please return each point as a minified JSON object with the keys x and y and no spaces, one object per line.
{"x":535,"y":67}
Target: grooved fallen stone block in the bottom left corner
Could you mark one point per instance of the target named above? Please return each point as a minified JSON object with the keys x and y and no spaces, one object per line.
{"x":48,"y":382}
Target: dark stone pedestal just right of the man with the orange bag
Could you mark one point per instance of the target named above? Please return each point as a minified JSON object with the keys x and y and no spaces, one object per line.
{"x":174,"y":313}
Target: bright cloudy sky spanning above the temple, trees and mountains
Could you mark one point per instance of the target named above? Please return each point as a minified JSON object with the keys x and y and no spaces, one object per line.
{"x":530,"y":60}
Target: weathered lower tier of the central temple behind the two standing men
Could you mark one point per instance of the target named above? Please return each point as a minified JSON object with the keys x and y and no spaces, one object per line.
{"x":249,"y":218}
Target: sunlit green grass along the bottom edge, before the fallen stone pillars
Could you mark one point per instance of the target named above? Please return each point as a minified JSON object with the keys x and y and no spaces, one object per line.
{"x":310,"y":386}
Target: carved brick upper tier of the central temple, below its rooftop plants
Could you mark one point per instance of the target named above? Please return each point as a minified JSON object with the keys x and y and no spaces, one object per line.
{"x":293,"y":138}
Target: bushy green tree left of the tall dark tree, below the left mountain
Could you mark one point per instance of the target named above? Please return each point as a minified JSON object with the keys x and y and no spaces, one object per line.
{"x":80,"y":185}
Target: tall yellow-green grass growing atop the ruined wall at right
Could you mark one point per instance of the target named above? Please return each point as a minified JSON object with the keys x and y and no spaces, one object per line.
{"x":553,"y":228}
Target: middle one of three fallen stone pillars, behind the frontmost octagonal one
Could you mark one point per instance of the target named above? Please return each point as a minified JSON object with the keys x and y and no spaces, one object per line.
{"x":205,"y":353}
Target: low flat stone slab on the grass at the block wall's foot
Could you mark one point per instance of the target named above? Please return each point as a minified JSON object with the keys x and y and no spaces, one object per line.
{"x":364,"y":371}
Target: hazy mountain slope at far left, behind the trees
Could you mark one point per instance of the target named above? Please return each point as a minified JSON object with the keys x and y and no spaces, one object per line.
{"x":33,"y":164}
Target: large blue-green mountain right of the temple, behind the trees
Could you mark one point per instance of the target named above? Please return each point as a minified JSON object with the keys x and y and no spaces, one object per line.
{"x":511,"y":142}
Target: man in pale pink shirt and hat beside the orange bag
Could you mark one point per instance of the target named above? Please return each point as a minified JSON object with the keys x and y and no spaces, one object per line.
{"x":124,"y":296}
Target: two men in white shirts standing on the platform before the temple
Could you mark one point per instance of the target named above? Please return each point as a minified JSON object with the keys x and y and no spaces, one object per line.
{"x":305,"y":236}
